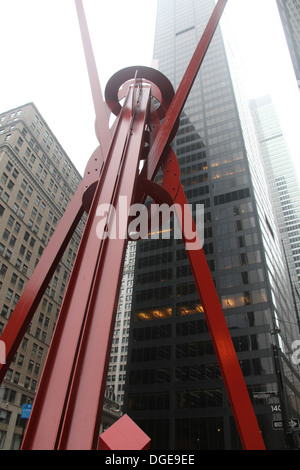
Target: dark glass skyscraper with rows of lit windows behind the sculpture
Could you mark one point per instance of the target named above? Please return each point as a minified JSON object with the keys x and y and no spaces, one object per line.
{"x":174,"y":388}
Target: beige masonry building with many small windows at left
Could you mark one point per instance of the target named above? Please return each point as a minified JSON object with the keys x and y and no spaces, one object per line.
{"x":37,"y":180}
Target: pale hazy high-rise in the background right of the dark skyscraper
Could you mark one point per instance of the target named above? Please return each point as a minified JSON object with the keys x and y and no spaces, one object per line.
{"x":284,"y":185}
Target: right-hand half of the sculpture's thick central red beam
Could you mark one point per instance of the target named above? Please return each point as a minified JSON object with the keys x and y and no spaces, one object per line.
{"x":86,"y":396}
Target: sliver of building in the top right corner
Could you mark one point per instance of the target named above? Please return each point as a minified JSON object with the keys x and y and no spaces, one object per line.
{"x":289,"y":11}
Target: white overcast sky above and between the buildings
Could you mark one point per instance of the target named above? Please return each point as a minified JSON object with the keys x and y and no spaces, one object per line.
{"x":42,"y":60}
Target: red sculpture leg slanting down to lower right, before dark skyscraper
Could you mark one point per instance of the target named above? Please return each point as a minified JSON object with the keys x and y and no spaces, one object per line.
{"x":171,"y":193}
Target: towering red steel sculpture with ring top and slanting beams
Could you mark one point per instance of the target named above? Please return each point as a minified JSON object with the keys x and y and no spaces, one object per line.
{"x":67,"y":409}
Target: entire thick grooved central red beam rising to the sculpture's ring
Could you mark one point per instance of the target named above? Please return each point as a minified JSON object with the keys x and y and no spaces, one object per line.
{"x":97,"y":259}
